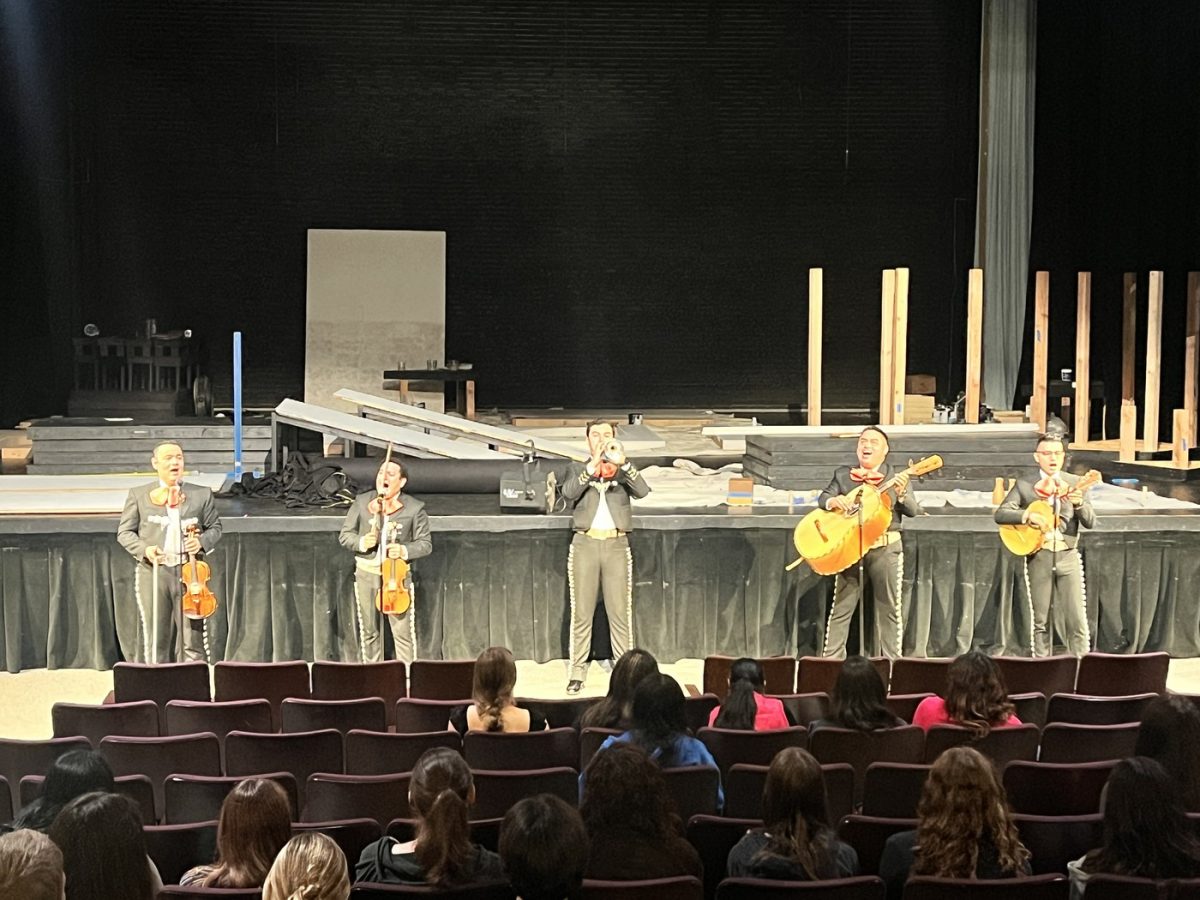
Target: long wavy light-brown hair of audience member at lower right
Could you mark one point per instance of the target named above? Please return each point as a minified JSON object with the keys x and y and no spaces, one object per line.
{"x":964,"y":806}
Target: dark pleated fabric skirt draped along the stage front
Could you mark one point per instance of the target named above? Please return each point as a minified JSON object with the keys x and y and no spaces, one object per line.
{"x":67,"y":599}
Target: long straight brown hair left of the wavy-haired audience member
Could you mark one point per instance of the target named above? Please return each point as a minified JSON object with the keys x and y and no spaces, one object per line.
{"x":794,"y":814}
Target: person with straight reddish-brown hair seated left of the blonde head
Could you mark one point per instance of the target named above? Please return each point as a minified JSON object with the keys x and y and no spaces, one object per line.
{"x":256,"y":823}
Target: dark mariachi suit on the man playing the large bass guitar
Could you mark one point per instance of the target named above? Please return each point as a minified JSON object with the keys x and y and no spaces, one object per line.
{"x":884,"y":567}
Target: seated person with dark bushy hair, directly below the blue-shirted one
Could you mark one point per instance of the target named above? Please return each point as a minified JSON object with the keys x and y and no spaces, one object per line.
{"x":632,"y":821}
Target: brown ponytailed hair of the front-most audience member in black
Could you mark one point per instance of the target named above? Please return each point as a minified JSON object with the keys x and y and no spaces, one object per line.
{"x":440,"y":795}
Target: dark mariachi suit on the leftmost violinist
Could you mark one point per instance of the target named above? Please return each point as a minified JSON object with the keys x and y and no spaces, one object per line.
{"x":146,"y":525}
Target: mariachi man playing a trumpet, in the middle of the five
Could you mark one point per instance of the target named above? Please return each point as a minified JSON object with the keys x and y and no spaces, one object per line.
{"x":599,"y":556}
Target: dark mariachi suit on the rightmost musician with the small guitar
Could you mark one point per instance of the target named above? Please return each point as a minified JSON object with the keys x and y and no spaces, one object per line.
{"x":1057,"y":572}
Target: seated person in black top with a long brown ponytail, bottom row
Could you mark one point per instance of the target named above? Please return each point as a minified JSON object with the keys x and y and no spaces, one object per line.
{"x":441,"y":794}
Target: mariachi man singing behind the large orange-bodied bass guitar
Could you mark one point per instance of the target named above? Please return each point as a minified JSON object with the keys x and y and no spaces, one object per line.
{"x":883,"y":562}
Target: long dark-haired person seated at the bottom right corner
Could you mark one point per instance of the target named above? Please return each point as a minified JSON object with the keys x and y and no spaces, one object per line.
{"x":1147,"y":831}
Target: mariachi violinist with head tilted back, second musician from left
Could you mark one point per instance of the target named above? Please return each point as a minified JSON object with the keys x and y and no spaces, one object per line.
{"x":386,"y":523}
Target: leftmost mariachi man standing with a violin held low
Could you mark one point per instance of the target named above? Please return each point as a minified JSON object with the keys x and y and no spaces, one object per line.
{"x":157,"y":530}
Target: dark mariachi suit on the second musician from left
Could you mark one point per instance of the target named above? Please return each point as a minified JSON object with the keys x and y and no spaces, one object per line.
{"x":410,"y":527}
